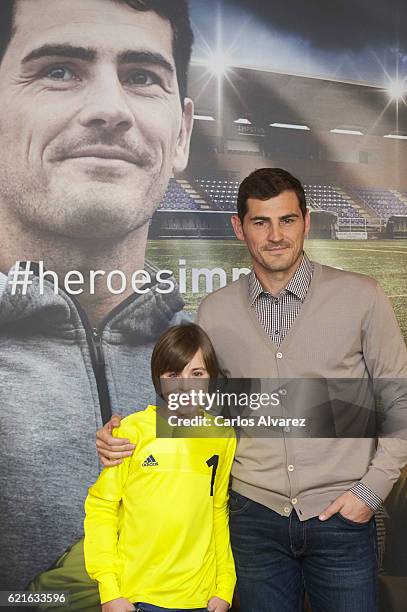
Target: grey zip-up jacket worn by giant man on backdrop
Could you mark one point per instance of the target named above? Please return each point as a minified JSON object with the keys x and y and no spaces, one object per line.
{"x":59,"y":381}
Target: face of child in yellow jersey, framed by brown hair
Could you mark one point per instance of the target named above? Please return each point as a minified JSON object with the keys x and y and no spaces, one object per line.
{"x":194,"y":377}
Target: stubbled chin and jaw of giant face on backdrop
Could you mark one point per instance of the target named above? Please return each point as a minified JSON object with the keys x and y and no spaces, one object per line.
{"x":83,"y":211}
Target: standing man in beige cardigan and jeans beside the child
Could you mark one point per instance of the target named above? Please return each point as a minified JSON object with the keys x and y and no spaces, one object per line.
{"x":301,"y":510}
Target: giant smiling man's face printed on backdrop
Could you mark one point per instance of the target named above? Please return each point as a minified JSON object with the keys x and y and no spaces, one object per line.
{"x":91,"y":124}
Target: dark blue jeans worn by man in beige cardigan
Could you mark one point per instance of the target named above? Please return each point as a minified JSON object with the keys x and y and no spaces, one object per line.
{"x":277,"y":558}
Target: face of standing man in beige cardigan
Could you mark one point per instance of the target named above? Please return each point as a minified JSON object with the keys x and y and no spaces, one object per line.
{"x":274,"y":231}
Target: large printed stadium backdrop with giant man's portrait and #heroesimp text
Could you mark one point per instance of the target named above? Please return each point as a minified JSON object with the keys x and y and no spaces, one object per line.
{"x":124,"y":135}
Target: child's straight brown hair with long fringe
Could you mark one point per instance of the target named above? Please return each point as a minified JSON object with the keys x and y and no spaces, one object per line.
{"x":176,"y":347}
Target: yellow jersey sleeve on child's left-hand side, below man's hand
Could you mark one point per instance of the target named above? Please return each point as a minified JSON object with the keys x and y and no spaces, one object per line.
{"x":102,"y":524}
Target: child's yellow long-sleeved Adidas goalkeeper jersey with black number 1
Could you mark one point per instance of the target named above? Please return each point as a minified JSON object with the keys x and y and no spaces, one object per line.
{"x":156,"y":526}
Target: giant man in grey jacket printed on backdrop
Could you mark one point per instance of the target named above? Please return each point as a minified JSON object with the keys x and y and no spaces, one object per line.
{"x":94,"y":121}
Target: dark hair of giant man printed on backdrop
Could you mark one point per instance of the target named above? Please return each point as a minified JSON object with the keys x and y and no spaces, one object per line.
{"x":175,"y":11}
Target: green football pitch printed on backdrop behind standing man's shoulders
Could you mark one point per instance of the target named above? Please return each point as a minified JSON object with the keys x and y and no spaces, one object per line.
{"x":385,"y":260}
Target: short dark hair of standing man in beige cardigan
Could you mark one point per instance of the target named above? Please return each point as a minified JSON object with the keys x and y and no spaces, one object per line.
{"x":267,"y":183}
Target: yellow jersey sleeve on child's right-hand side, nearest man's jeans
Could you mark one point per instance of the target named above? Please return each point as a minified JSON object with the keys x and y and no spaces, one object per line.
{"x":225,"y":567}
